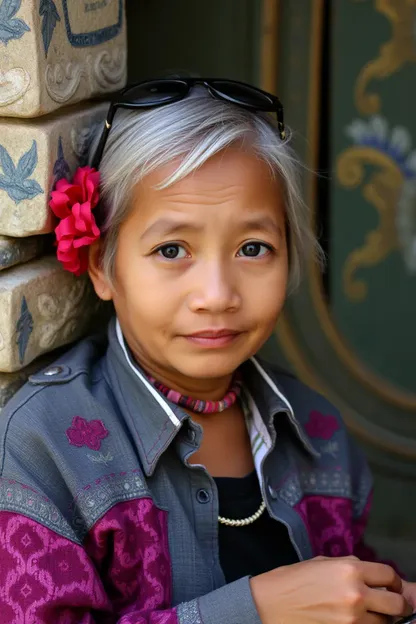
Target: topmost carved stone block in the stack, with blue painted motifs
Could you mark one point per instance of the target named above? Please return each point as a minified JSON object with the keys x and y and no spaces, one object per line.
{"x":57,"y":53}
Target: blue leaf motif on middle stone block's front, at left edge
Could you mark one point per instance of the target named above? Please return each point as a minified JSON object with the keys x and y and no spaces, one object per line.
{"x":14,"y":179}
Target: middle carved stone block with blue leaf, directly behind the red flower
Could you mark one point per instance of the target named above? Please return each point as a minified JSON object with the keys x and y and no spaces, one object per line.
{"x":33,"y":155}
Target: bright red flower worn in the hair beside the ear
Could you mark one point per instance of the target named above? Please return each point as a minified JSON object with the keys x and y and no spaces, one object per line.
{"x":73,"y":203}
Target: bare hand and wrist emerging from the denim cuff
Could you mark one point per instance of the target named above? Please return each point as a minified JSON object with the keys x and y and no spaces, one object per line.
{"x":329,"y":591}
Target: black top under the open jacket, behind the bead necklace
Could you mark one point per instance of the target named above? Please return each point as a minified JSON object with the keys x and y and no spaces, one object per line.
{"x":258,"y":547}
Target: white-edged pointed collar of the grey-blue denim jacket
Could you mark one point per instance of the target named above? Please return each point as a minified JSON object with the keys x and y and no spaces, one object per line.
{"x":136,"y":396}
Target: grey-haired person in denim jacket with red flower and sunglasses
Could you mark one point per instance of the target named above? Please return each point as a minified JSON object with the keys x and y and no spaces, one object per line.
{"x":164,"y":474}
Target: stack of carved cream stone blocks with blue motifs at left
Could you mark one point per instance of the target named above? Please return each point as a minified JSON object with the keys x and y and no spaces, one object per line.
{"x":52,"y":56}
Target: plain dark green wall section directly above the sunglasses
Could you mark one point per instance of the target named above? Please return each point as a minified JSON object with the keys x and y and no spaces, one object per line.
{"x":216,"y":38}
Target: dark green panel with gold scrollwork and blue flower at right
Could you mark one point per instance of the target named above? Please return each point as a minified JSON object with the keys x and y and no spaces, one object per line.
{"x":379,"y":327}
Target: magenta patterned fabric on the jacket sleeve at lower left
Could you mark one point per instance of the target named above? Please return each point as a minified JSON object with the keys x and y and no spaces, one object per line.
{"x":121,"y":574}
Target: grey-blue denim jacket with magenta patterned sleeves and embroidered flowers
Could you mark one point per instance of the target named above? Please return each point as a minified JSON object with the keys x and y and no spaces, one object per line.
{"x":103,"y":519}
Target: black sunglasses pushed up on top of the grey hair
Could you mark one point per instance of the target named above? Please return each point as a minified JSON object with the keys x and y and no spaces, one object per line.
{"x":154,"y":93}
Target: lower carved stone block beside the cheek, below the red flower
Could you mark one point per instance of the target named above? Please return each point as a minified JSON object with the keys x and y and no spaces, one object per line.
{"x":42,"y":307}
